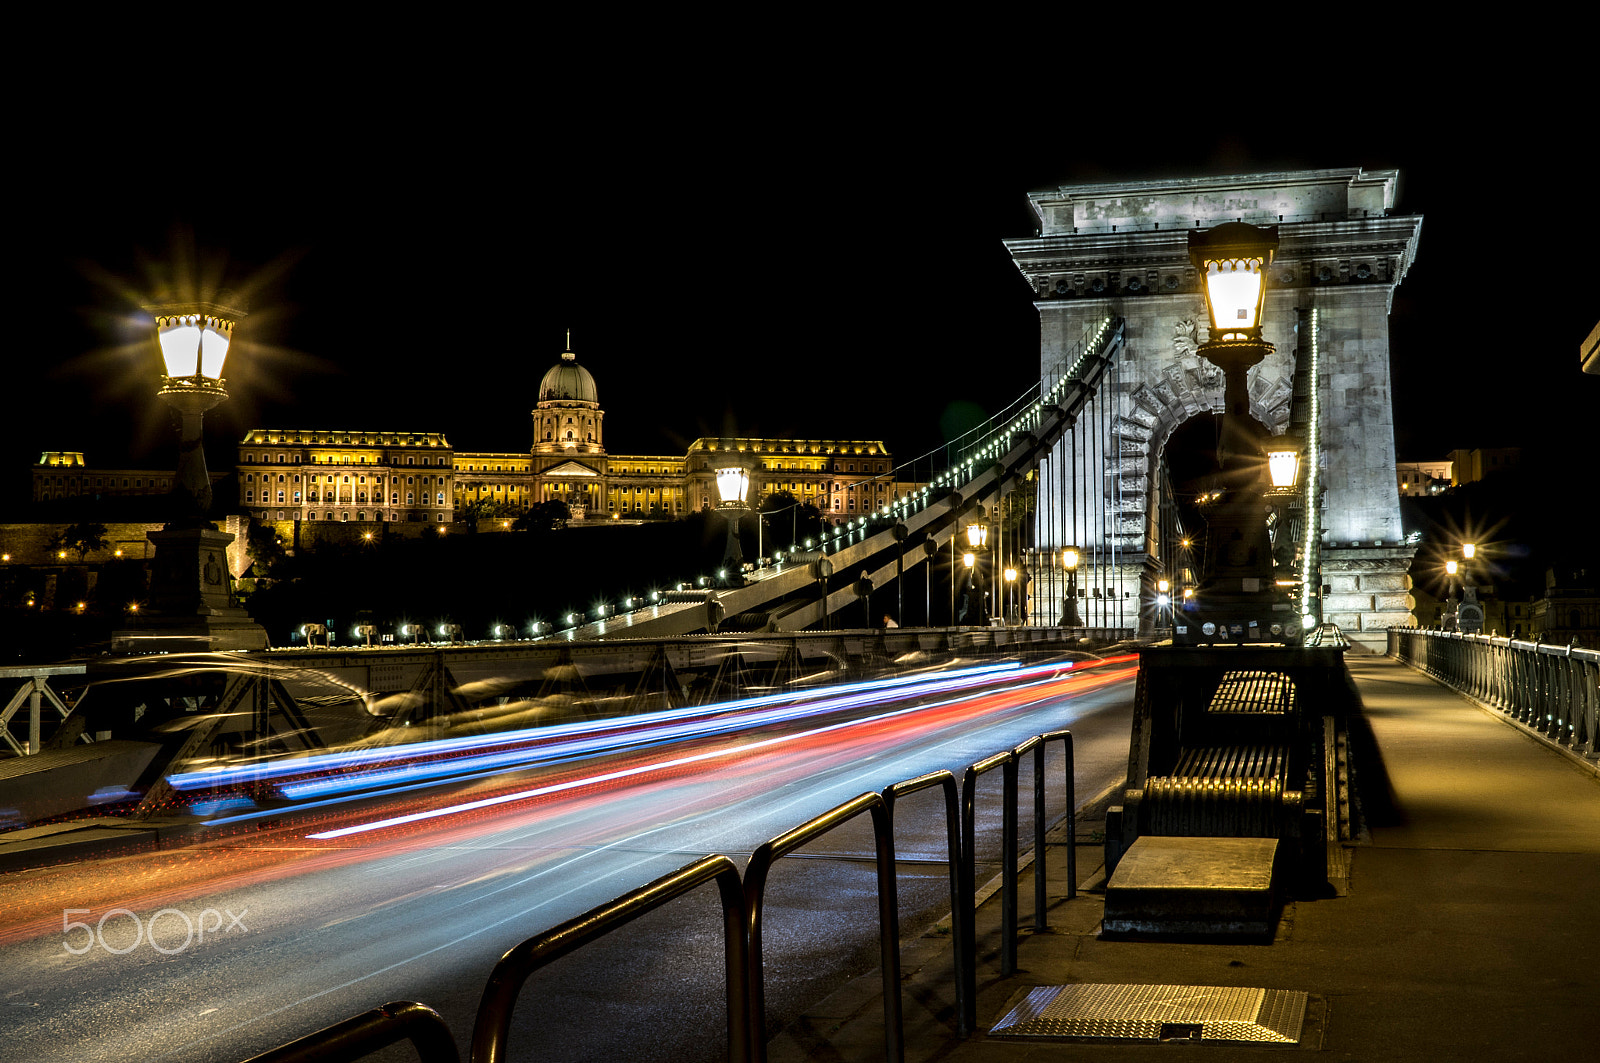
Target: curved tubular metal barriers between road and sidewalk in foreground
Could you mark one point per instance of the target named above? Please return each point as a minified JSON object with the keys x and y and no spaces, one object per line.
{"x":742,"y":904}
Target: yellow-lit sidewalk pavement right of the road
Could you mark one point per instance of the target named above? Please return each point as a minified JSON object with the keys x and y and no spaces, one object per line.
{"x":1465,"y":921}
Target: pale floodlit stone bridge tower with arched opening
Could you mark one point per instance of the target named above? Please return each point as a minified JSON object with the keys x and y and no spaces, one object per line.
{"x":1122,"y":251}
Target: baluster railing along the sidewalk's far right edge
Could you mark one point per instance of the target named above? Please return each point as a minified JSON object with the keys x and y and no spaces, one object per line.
{"x":1553,"y":691}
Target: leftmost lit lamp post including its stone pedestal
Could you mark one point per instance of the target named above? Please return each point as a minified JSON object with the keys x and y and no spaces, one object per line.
{"x":191,"y":601}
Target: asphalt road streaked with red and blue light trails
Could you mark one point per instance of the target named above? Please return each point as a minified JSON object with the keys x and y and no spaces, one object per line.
{"x":225,"y":950}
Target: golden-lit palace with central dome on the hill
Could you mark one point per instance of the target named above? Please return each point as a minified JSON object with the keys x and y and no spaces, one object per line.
{"x":418,"y":479}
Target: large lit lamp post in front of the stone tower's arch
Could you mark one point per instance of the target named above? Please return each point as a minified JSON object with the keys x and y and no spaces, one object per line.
{"x":1238,"y":601}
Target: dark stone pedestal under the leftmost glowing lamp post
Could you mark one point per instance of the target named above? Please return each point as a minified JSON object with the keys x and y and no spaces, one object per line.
{"x":191,"y":604}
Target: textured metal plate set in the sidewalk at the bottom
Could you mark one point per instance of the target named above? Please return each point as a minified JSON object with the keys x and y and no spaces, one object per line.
{"x":1158,"y":1014}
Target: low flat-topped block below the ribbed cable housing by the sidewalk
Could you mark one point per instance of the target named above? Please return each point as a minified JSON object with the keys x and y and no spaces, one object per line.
{"x":1194,"y":888}
